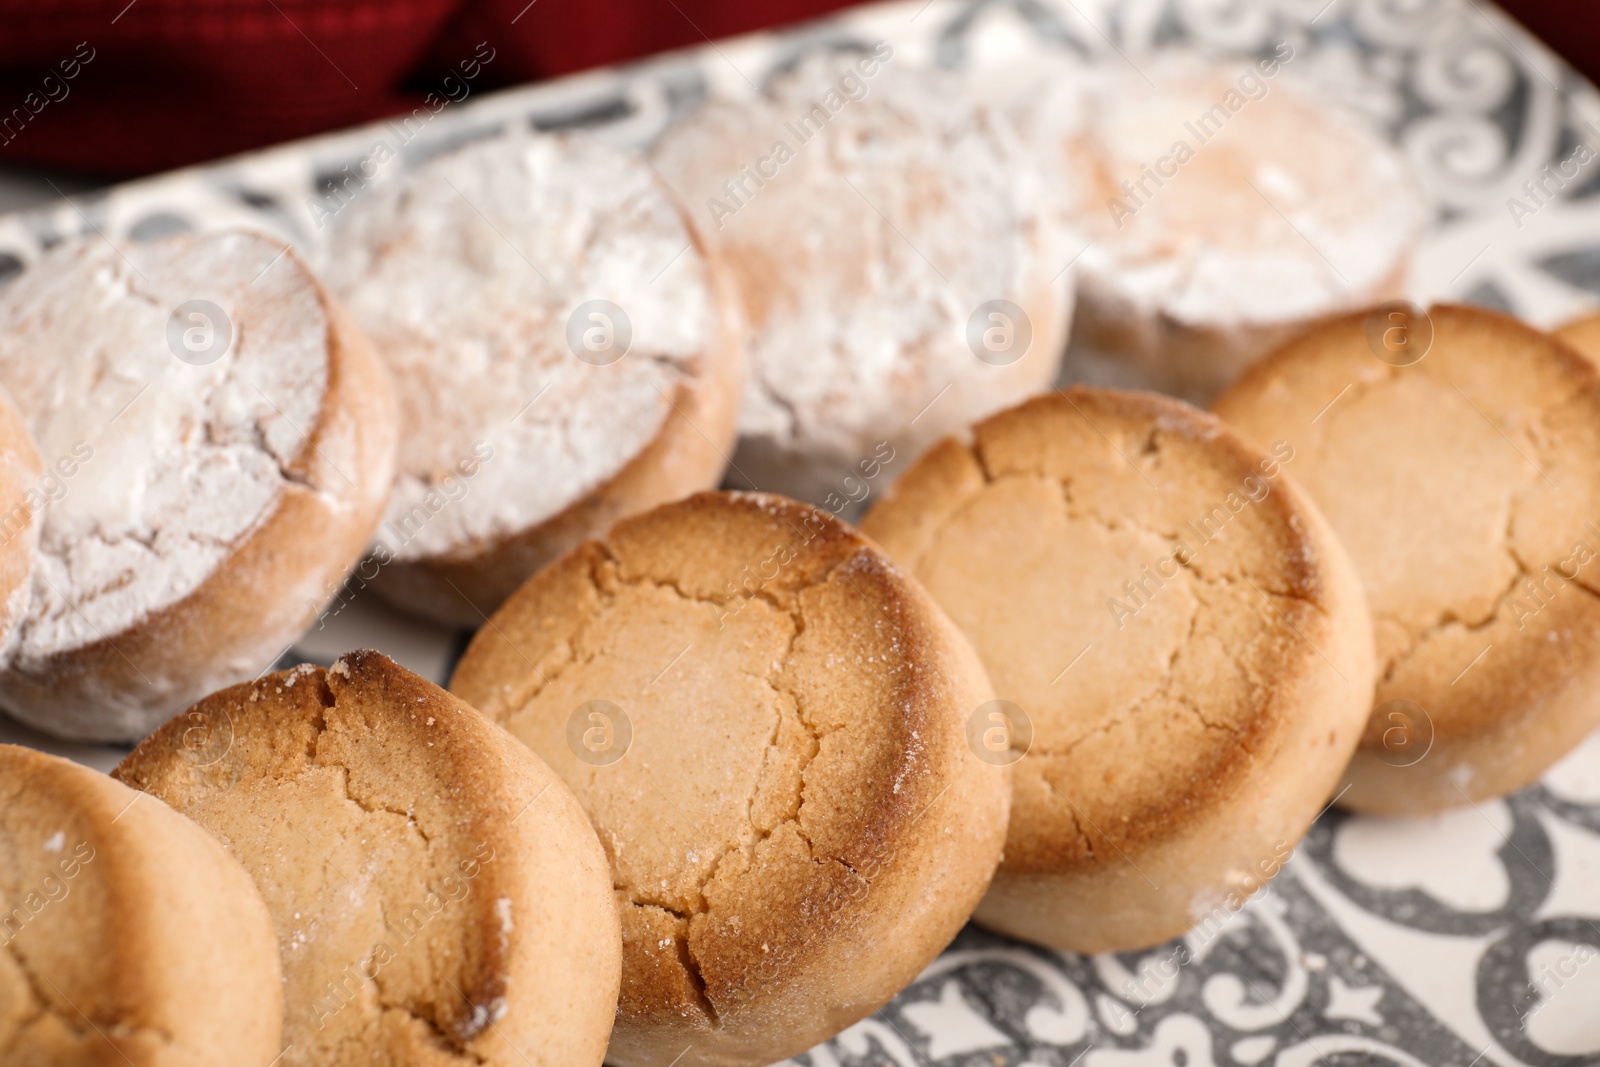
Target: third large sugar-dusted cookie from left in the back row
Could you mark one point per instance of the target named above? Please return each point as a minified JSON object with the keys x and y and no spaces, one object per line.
{"x":897,"y":273}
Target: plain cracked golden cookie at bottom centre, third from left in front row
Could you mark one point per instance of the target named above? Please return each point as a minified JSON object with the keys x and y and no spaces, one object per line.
{"x":766,"y":722}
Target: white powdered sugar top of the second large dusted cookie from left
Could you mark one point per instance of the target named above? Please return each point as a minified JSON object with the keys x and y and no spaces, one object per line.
{"x":466,"y":278}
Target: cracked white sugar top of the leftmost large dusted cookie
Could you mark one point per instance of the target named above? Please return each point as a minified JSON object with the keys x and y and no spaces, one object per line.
{"x":172,"y":463}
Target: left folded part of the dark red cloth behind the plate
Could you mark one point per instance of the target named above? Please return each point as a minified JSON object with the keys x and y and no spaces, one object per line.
{"x":182,"y":81}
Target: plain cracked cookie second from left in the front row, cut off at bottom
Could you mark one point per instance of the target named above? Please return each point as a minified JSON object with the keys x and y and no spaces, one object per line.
{"x":438,"y":893}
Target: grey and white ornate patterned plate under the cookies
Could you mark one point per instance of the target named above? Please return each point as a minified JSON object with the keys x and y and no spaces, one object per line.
{"x":1452,"y":941}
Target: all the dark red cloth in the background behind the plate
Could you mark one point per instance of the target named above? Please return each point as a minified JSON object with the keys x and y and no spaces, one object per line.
{"x":174,"y":82}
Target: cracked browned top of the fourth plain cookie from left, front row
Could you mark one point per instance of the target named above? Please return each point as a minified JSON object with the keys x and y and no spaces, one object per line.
{"x":1143,"y":585}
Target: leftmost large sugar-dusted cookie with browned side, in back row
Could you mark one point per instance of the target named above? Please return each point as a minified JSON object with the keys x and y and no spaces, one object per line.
{"x":225,"y":442}
